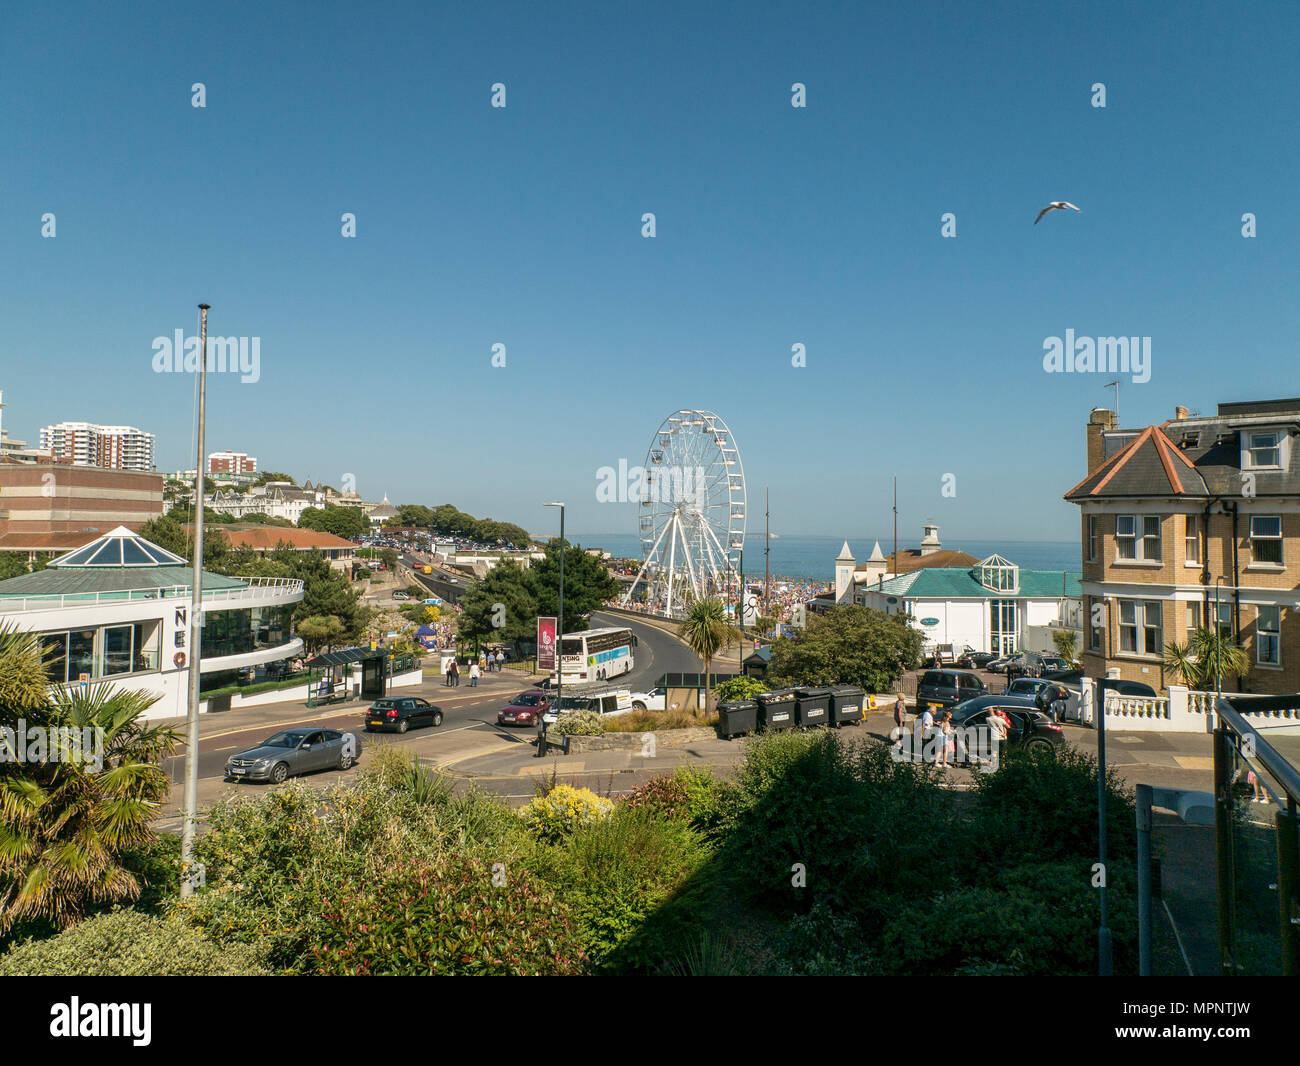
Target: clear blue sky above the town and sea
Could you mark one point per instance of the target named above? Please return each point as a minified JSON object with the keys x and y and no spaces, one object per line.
{"x":774,"y":227}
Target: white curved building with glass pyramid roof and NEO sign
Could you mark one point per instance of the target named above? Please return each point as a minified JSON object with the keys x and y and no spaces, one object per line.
{"x":118,"y":610}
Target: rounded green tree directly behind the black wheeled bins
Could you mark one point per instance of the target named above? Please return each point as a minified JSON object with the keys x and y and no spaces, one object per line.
{"x":850,"y":645}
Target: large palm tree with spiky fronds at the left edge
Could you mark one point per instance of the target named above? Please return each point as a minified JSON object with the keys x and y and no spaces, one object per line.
{"x":67,"y":820}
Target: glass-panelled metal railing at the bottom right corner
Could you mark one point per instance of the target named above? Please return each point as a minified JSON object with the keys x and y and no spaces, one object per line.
{"x":1256,"y":843}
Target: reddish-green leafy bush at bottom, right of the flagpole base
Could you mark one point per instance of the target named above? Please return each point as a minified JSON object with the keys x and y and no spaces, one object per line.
{"x":447,"y":917}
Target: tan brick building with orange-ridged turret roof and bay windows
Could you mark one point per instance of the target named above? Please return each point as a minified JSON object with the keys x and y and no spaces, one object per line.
{"x":1191,"y":523}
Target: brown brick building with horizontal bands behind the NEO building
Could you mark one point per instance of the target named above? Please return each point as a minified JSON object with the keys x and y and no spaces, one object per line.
{"x":55,"y":509}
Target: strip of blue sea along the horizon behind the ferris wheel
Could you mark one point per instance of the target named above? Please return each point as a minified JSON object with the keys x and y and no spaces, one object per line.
{"x":813,"y":558}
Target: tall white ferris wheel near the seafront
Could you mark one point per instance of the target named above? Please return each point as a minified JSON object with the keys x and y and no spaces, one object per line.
{"x":691,"y":513}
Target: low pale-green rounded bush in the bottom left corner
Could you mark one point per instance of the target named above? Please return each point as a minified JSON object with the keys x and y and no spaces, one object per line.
{"x":129,"y":944}
